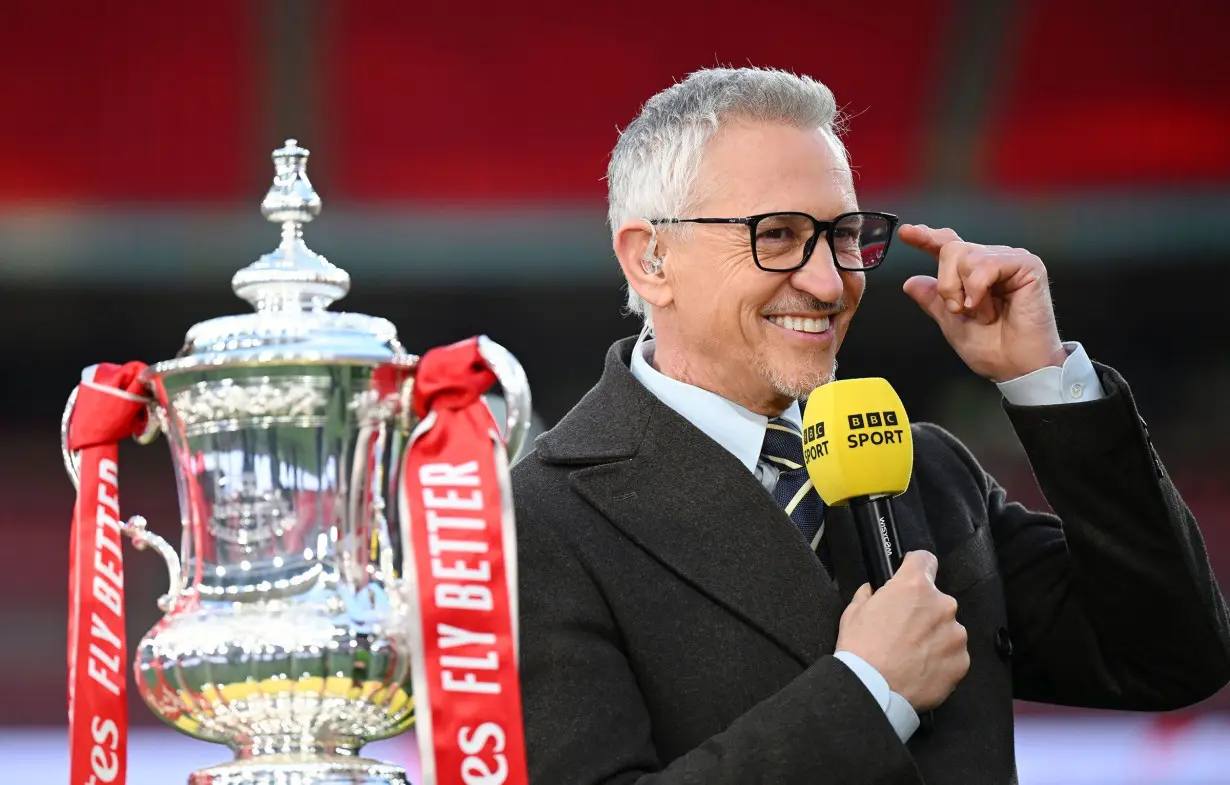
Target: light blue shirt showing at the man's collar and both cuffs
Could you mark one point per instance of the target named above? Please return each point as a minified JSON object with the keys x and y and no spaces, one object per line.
{"x":742,"y":432}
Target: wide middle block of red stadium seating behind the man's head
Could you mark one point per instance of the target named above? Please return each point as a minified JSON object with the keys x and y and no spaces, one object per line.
{"x":523,"y":103}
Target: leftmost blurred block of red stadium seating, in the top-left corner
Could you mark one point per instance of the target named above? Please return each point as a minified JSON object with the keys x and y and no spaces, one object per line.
{"x":135,"y":102}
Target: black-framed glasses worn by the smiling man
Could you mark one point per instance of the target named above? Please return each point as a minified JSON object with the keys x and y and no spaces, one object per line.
{"x":783,"y":243}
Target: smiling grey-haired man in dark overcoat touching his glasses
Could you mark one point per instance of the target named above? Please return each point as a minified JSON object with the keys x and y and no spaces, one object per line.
{"x":691,"y":611}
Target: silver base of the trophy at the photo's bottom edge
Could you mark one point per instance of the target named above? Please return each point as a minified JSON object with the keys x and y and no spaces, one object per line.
{"x":301,"y":770}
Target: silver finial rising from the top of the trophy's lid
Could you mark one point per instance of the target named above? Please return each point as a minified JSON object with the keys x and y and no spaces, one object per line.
{"x":292,"y":277}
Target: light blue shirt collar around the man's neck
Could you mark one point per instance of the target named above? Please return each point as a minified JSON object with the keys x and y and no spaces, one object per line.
{"x":739,"y":430}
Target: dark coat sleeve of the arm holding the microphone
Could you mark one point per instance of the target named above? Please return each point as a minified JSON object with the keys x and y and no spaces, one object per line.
{"x":587,"y":723}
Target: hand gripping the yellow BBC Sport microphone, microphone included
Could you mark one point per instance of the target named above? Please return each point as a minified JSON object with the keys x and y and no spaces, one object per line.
{"x":859,"y":453}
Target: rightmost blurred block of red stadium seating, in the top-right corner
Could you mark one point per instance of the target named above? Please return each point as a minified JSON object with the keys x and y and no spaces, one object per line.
{"x":1108,"y":95}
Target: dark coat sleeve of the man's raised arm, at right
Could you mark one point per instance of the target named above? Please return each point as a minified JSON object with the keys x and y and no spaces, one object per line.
{"x":1111,"y":601}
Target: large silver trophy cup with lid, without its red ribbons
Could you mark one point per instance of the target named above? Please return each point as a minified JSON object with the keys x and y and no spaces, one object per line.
{"x":287,"y":633}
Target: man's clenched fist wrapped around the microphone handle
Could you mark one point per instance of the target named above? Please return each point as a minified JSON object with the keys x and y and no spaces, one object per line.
{"x":908,"y":631}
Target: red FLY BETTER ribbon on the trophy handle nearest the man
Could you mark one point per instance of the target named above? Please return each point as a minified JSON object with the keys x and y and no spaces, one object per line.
{"x":458,"y":509}
